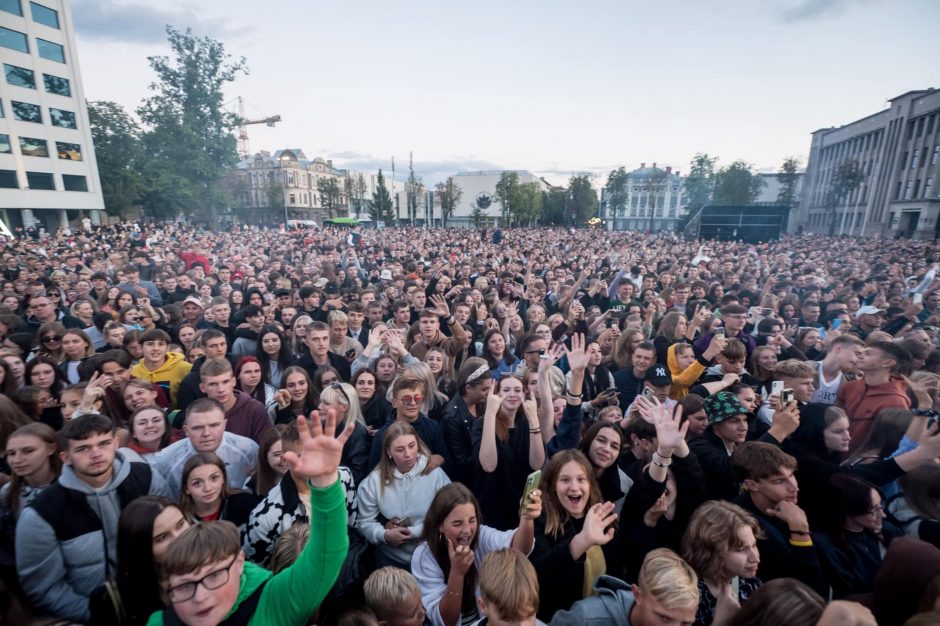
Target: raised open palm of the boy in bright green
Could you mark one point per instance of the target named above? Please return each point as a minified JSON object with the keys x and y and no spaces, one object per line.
{"x":320,"y":451}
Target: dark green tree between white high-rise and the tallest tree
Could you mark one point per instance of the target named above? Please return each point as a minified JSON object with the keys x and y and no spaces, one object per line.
{"x":118,"y":150}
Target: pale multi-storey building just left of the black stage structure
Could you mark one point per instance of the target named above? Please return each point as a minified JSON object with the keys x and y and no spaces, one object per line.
{"x":655,"y":200}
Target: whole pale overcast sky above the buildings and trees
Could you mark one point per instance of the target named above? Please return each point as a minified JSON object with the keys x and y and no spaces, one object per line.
{"x":552,"y":87}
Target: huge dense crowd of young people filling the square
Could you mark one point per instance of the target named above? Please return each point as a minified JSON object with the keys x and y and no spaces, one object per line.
{"x":452,"y":427}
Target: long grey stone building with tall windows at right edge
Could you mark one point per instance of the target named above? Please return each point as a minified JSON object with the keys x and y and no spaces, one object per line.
{"x":891,"y":160}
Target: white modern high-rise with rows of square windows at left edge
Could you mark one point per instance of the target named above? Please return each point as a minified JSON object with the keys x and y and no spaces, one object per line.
{"x":48,"y":172}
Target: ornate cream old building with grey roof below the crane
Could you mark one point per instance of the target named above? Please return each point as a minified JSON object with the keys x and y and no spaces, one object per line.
{"x":286,"y":185}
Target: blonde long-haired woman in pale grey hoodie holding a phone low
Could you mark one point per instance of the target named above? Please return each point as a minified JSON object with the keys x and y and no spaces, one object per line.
{"x":399,"y":490}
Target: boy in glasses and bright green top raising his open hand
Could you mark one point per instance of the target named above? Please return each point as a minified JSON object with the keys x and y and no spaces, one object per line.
{"x":209,"y":580}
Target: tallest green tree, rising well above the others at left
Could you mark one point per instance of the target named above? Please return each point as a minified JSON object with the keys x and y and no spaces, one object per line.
{"x":189,"y":141}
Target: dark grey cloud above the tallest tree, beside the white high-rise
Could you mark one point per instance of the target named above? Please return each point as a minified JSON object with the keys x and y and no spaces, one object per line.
{"x":109,"y":20}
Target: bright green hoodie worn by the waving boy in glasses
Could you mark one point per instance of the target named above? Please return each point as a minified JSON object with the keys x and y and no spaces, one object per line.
{"x":292,"y":596}
